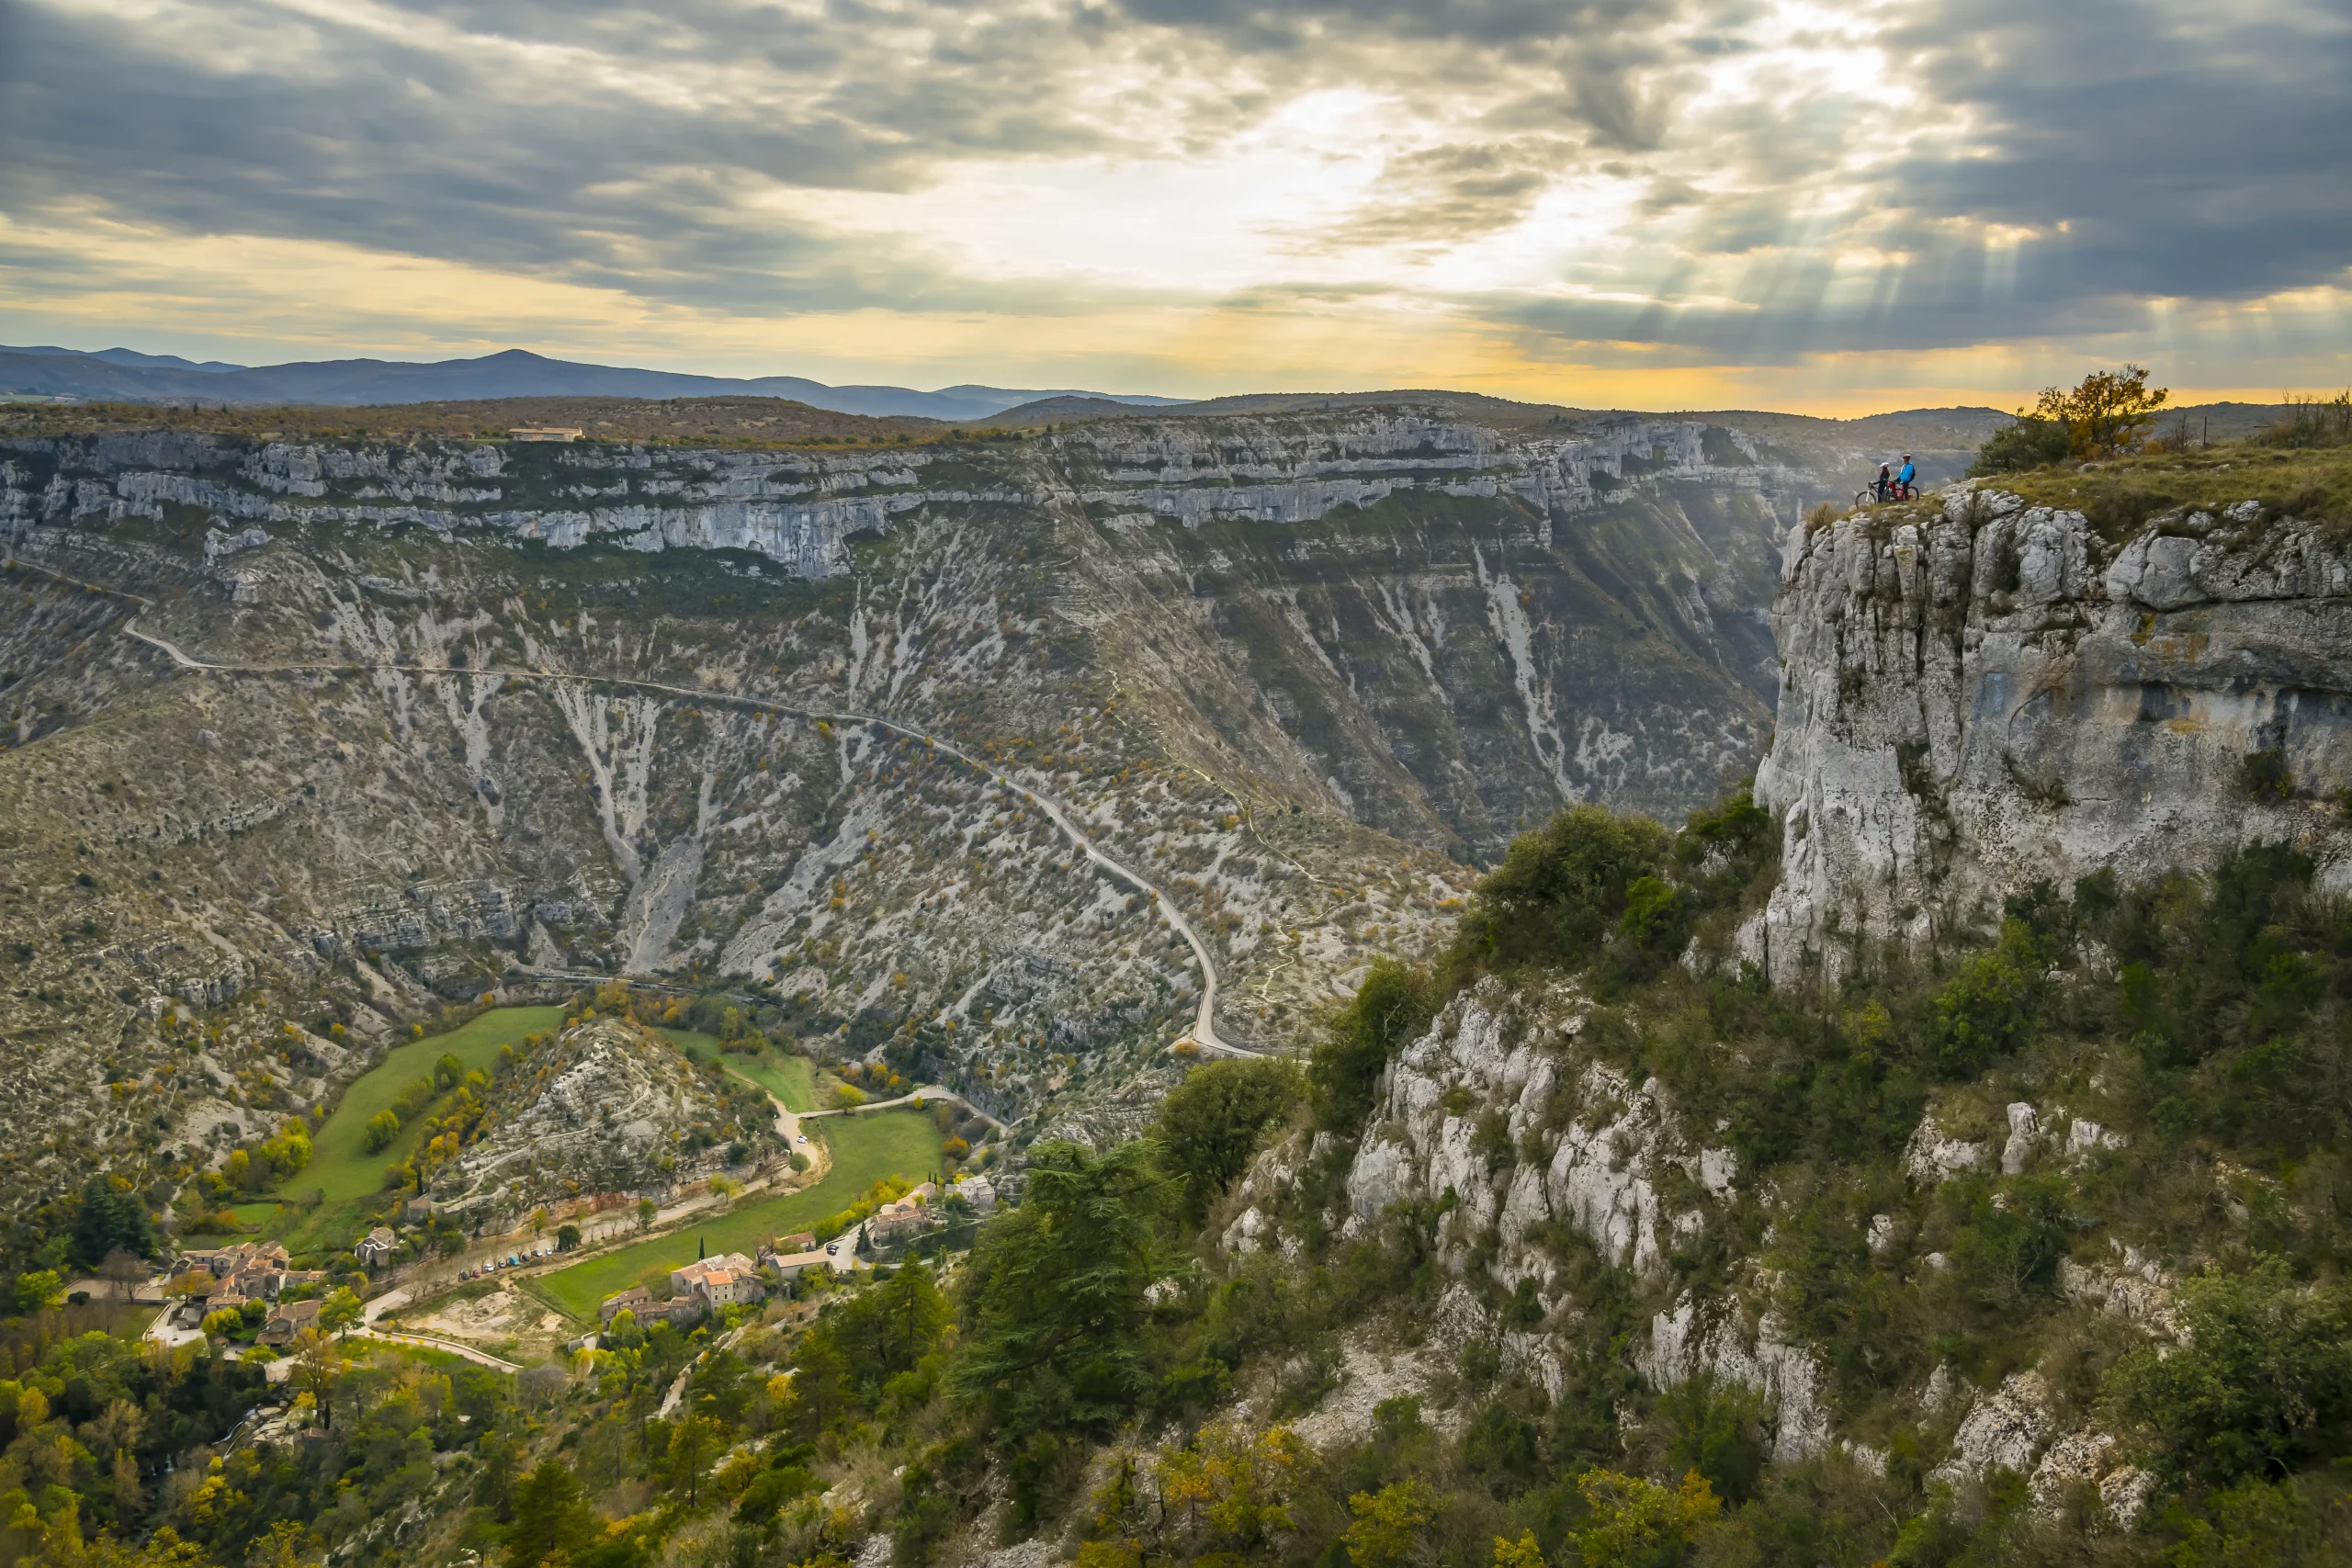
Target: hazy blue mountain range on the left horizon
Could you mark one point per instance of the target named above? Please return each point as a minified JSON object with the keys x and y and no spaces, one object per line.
{"x":123,"y":375}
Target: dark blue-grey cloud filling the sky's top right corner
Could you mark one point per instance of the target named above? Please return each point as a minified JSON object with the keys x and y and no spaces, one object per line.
{"x":2203,"y":159}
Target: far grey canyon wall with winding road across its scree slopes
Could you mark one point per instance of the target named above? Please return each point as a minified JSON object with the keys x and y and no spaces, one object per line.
{"x":516,"y":711}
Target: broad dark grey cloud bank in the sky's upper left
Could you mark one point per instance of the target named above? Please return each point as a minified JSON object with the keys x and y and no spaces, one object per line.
{"x":427,"y":147}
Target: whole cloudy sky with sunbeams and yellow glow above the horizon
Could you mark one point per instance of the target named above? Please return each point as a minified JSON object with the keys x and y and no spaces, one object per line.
{"x":1824,"y":206}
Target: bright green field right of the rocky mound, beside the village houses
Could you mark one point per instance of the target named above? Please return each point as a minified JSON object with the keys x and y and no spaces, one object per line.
{"x":864,"y":1151}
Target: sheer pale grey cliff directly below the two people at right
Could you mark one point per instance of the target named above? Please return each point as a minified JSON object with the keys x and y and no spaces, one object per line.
{"x":1991,"y":695}
